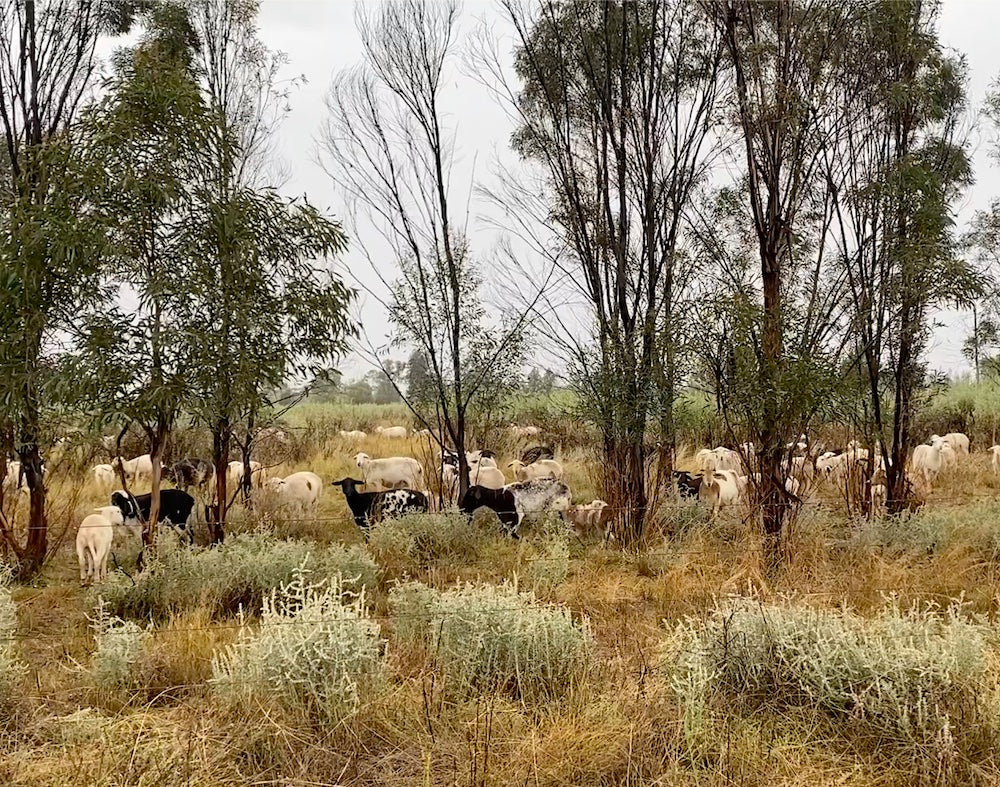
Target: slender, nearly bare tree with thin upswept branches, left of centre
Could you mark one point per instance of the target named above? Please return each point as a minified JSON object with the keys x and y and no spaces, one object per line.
{"x":389,"y":147}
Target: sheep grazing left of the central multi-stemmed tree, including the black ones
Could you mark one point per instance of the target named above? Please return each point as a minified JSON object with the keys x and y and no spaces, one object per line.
{"x":392,"y":487}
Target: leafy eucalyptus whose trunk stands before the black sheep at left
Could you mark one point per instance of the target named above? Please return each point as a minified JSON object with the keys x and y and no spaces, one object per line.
{"x":149,"y":131}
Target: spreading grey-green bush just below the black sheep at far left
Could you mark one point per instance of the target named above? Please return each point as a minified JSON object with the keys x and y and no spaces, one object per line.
{"x":234,"y":576}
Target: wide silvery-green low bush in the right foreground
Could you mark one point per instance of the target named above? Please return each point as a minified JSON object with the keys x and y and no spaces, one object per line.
{"x":910,"y":679}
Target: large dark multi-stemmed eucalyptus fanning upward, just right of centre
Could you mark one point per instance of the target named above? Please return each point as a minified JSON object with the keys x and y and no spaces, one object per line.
{"x":616,"y":105}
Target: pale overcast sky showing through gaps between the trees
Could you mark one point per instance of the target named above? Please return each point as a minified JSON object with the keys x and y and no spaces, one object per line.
{"x":319,"y":38}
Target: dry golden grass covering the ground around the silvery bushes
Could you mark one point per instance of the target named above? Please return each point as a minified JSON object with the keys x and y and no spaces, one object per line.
{"x":621,"y":726}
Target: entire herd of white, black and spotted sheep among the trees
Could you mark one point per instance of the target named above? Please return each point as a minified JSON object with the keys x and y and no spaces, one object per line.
{"x":396,"y":485}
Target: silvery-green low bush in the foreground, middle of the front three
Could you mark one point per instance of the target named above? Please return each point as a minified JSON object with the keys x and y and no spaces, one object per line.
{"x":492,"y":639}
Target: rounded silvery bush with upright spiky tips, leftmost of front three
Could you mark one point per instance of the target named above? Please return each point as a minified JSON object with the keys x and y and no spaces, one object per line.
{"x":316,"y":649}
